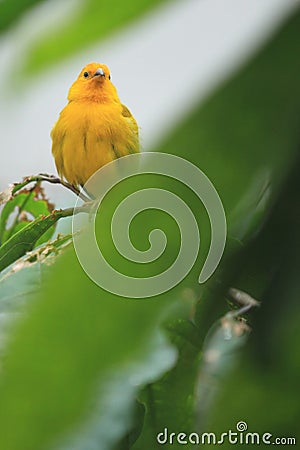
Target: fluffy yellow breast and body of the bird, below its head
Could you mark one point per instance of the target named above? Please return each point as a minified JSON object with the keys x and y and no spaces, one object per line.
{"x":90,"y":135}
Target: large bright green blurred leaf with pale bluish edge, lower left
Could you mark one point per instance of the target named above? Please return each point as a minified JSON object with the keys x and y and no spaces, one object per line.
{"x":79,"y":350}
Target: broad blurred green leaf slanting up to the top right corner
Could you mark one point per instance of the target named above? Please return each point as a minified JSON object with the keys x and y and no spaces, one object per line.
{"x":246,"y":134}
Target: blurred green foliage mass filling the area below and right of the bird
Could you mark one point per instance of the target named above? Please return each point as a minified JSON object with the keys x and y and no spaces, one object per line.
{"x":85,"y":369}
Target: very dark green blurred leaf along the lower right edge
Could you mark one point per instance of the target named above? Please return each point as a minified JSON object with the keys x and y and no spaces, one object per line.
{"x":263,"y":389}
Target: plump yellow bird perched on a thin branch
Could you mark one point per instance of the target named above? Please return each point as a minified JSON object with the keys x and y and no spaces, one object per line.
{"x":94,"y":128}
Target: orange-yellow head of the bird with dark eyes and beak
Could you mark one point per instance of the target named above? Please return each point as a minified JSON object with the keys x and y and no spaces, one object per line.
{"x":93,"y":84}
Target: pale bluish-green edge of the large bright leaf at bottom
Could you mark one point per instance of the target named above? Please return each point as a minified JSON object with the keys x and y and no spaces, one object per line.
{"x":114,"y":412}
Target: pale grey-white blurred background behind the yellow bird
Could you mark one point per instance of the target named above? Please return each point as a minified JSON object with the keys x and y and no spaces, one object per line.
{"x":161,"y":65}
